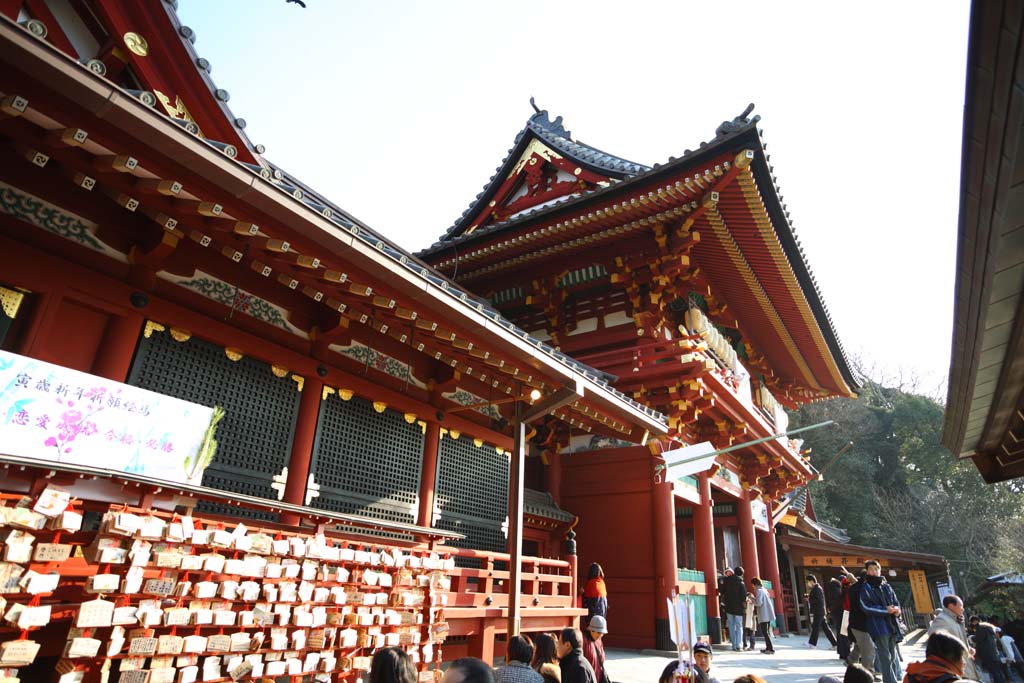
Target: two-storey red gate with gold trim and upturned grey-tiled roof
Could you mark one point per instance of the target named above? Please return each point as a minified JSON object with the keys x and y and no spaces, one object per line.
{"x":686,"y":284}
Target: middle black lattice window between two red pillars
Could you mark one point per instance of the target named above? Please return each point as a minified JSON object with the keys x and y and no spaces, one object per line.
{"x":367,"y":463}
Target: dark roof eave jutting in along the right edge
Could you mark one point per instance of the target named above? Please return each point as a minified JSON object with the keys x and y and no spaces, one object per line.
{"x":985,"y":418}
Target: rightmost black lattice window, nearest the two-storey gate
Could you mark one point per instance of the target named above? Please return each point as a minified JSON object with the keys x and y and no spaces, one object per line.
{"x":473,"y":494}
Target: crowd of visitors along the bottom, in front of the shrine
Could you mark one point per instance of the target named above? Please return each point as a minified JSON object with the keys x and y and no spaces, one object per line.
{"x":861,"y":616}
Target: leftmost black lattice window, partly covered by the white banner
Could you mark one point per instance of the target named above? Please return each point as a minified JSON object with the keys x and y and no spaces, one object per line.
{"x":254,"y":440}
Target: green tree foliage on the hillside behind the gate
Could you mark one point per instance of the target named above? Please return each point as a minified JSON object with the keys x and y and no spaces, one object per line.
{"x":900,"y":488}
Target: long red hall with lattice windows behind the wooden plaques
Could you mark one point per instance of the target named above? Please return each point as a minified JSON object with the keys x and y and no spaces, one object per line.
{"x":146,"y":240}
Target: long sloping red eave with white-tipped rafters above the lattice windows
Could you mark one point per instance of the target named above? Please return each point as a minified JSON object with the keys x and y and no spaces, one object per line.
{"x":329,"y":238}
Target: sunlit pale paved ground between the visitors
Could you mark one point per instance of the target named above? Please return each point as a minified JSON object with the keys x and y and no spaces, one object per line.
{"x":794,"y":662}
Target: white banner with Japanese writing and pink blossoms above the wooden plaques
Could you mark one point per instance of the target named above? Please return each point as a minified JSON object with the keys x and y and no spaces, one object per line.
{"x":61,"y":415}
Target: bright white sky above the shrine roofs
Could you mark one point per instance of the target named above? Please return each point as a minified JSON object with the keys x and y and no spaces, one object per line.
{"x":400,"y":112}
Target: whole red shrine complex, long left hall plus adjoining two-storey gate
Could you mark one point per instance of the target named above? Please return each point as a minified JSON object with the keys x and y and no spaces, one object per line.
{"x":145,"y":239}
